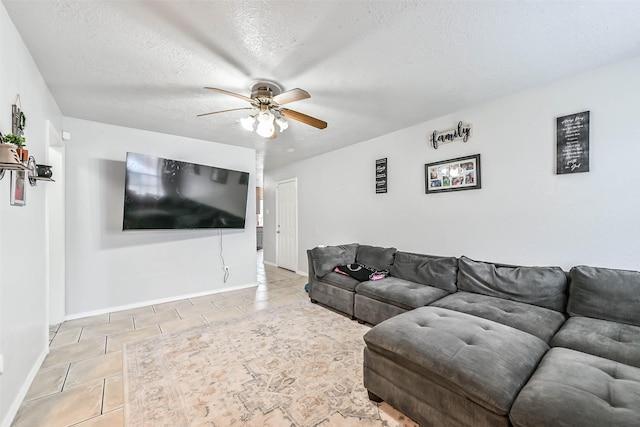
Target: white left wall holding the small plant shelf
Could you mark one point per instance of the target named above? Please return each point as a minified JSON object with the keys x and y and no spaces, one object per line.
{"x":23,"y":251}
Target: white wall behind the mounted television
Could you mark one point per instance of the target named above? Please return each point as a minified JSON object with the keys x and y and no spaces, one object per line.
{"x":109,"y":269}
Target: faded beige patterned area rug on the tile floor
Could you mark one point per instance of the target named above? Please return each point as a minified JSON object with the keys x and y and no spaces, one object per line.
{"x":298,"y":365}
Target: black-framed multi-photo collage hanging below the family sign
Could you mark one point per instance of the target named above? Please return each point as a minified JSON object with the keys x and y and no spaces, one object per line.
{"x":462,"y":173}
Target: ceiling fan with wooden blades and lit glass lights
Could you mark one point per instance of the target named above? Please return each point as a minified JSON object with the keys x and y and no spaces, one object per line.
{"x":267,"y":100}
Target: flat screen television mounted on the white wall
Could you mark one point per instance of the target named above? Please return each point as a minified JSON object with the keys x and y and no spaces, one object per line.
{"x":169,"y":194}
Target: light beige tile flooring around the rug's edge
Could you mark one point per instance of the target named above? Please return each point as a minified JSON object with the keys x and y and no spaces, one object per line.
{"x":80,"y":381}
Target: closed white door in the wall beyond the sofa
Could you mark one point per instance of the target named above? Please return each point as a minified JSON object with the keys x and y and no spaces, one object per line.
{"x":287,"y":224}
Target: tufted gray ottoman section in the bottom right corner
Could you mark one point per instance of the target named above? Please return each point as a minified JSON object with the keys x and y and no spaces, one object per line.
{"x":571,"y":388}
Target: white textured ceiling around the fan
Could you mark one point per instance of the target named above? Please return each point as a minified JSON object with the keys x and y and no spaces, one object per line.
{"x":371,"y":67}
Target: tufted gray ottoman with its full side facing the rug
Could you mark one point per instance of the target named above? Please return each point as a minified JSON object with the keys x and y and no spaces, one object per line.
{"x":442,"y":367}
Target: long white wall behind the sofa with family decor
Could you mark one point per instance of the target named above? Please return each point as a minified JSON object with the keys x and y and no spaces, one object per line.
{"x":523,"y":214}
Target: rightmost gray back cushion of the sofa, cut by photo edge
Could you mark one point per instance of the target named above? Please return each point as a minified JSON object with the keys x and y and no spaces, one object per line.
{"x":605,"y":293}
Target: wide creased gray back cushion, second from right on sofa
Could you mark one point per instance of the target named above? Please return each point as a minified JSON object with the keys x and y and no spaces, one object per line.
{"x":541,"y":286}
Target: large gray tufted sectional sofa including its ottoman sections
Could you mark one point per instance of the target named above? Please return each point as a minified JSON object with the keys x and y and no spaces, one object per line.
{"x":469,"y":343}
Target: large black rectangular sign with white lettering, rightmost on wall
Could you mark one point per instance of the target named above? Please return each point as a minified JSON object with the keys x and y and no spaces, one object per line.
{"x":572,"y":140}
